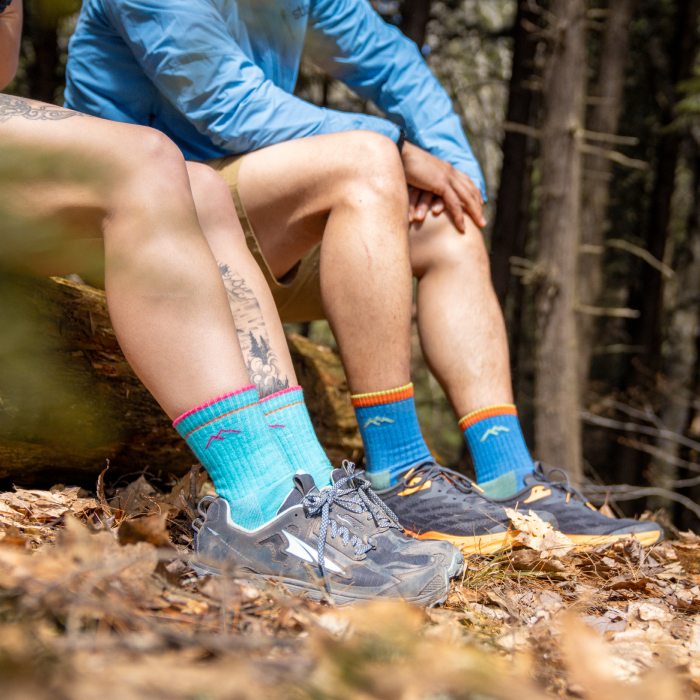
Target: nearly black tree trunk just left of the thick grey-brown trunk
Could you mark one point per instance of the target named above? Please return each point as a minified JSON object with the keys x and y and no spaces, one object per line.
{"x":510,"y":224}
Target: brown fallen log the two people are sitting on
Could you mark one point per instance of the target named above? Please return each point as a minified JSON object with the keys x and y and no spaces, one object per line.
{"x":63,"y":423}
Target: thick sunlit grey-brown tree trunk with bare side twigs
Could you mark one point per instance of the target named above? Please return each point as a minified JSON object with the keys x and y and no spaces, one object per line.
{"x":557,"y":424}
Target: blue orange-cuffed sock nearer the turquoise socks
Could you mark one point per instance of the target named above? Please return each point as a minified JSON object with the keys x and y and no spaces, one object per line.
{"x":391,"y":433}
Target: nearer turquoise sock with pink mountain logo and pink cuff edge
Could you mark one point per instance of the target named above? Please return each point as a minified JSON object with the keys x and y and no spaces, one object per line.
{"x":230,"y":437}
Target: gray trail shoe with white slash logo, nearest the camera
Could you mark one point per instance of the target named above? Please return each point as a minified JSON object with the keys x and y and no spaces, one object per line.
{"x":320,"y":544}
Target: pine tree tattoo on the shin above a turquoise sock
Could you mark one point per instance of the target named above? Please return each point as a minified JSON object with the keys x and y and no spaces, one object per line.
{"x":262,"y":363}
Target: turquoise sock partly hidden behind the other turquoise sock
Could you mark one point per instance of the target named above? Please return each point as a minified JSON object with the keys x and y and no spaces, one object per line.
{"x":288,"y":420}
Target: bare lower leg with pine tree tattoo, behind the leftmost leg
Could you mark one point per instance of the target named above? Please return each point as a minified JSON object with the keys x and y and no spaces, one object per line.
{"x":260,"y":331}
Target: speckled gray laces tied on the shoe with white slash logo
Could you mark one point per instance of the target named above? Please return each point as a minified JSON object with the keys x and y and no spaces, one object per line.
{"x":346,"y":494}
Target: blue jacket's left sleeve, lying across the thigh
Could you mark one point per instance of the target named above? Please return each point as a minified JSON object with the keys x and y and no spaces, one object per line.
{"x":184,"y":48}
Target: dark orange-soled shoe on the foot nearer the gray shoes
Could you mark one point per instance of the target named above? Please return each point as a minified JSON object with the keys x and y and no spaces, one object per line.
{"x":436,"y":503}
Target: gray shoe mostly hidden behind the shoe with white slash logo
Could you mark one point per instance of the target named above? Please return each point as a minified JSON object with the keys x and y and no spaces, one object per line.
{"x":389,"y":529}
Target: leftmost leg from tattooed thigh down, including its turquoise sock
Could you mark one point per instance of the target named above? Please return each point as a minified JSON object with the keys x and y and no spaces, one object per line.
{"x":165,"y":296}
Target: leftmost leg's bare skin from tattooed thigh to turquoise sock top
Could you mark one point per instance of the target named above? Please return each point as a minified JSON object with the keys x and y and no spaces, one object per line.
{"x":165,"y":297}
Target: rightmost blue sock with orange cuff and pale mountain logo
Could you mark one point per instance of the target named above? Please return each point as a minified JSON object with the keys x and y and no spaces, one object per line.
{"x":497,"y":445}
